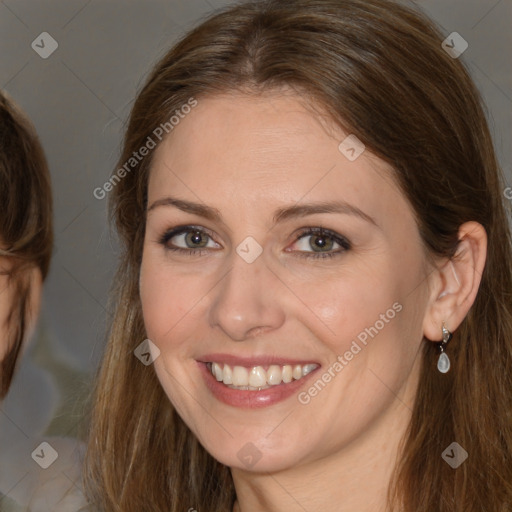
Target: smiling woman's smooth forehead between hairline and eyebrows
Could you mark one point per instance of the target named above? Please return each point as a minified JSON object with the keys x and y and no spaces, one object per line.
{"x":246,"y":150}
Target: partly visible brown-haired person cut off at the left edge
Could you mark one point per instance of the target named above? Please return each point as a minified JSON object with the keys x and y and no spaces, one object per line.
{"x":26,"y":242}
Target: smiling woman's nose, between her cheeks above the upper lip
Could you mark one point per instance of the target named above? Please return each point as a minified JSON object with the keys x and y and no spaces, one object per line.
{"x":247,"y":301}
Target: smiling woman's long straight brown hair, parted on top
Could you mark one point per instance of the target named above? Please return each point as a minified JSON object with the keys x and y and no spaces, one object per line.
{"x":378,"y":69}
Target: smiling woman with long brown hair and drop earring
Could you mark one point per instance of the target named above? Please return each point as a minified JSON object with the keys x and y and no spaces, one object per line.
{"x":313,"y":302}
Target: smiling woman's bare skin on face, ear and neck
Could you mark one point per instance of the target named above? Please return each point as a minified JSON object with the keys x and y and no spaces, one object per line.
{"x":248,"y":155}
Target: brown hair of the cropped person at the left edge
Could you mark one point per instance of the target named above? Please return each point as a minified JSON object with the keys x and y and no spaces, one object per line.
{"x":26,"y":224}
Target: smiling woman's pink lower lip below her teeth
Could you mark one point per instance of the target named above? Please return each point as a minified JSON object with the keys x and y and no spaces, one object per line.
{"x":251,"y":399}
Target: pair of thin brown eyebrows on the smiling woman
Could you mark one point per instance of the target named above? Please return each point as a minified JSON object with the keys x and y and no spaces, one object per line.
{"x":280,"y":215}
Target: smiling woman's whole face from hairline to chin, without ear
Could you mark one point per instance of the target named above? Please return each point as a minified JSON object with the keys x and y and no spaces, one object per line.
{"x":254,"y":286}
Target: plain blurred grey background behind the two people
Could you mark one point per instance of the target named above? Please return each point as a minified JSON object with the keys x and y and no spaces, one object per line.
{"x":79,"y":99}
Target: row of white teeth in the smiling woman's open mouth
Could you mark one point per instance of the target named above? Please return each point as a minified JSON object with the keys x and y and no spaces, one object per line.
{"x":257,"y":378}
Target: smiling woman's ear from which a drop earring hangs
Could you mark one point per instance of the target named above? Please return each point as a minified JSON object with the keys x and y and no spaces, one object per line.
{"x":454,"y":284}
